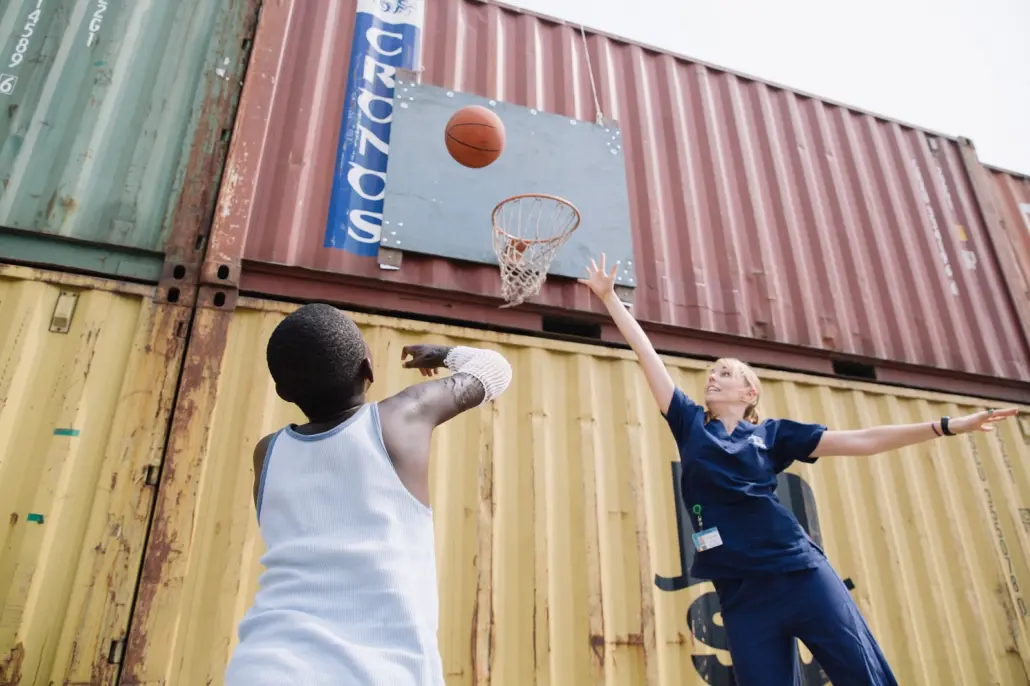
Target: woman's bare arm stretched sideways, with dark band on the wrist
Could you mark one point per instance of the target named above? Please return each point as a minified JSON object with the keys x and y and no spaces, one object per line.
{"x":891,"y":437}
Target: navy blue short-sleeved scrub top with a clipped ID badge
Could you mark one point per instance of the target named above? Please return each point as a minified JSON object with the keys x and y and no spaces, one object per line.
{"x":733,"y":477}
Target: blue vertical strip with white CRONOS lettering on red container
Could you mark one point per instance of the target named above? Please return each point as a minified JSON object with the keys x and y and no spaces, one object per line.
{"x":388,"y":36}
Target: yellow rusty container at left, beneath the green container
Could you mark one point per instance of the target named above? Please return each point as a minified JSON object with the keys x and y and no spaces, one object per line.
{"x":88,"y":375}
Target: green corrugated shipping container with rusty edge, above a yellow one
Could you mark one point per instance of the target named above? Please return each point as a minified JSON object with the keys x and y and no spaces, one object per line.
{"x":116,"y":128}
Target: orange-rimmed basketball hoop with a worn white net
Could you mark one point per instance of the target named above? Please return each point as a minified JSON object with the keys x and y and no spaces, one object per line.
{"x":529,"y":230}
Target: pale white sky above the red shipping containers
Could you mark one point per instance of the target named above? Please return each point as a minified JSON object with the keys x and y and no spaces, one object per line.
{"x":940,"y":65}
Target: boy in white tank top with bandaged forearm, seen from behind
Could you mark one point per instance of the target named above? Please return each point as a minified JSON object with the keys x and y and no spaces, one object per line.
{"x":350,"y":596}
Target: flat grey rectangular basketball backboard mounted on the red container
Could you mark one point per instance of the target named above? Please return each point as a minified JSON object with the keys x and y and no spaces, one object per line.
{"x":436,"y":207}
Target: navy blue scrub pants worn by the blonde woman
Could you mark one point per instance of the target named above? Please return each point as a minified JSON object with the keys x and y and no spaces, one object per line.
{"x":765,"y":615}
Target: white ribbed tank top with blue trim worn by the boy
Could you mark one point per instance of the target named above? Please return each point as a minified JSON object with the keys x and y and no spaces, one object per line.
{"x":350,"y":592}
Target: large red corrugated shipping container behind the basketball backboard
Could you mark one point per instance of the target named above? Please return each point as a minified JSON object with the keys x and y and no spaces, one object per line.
{"x":765,"y":217}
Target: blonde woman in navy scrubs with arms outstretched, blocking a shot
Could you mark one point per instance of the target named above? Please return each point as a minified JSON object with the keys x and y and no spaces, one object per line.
{"x":774,"y":584}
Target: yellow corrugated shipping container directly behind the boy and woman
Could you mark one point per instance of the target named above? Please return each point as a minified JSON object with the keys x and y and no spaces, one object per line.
{"x":559,"y":537}
